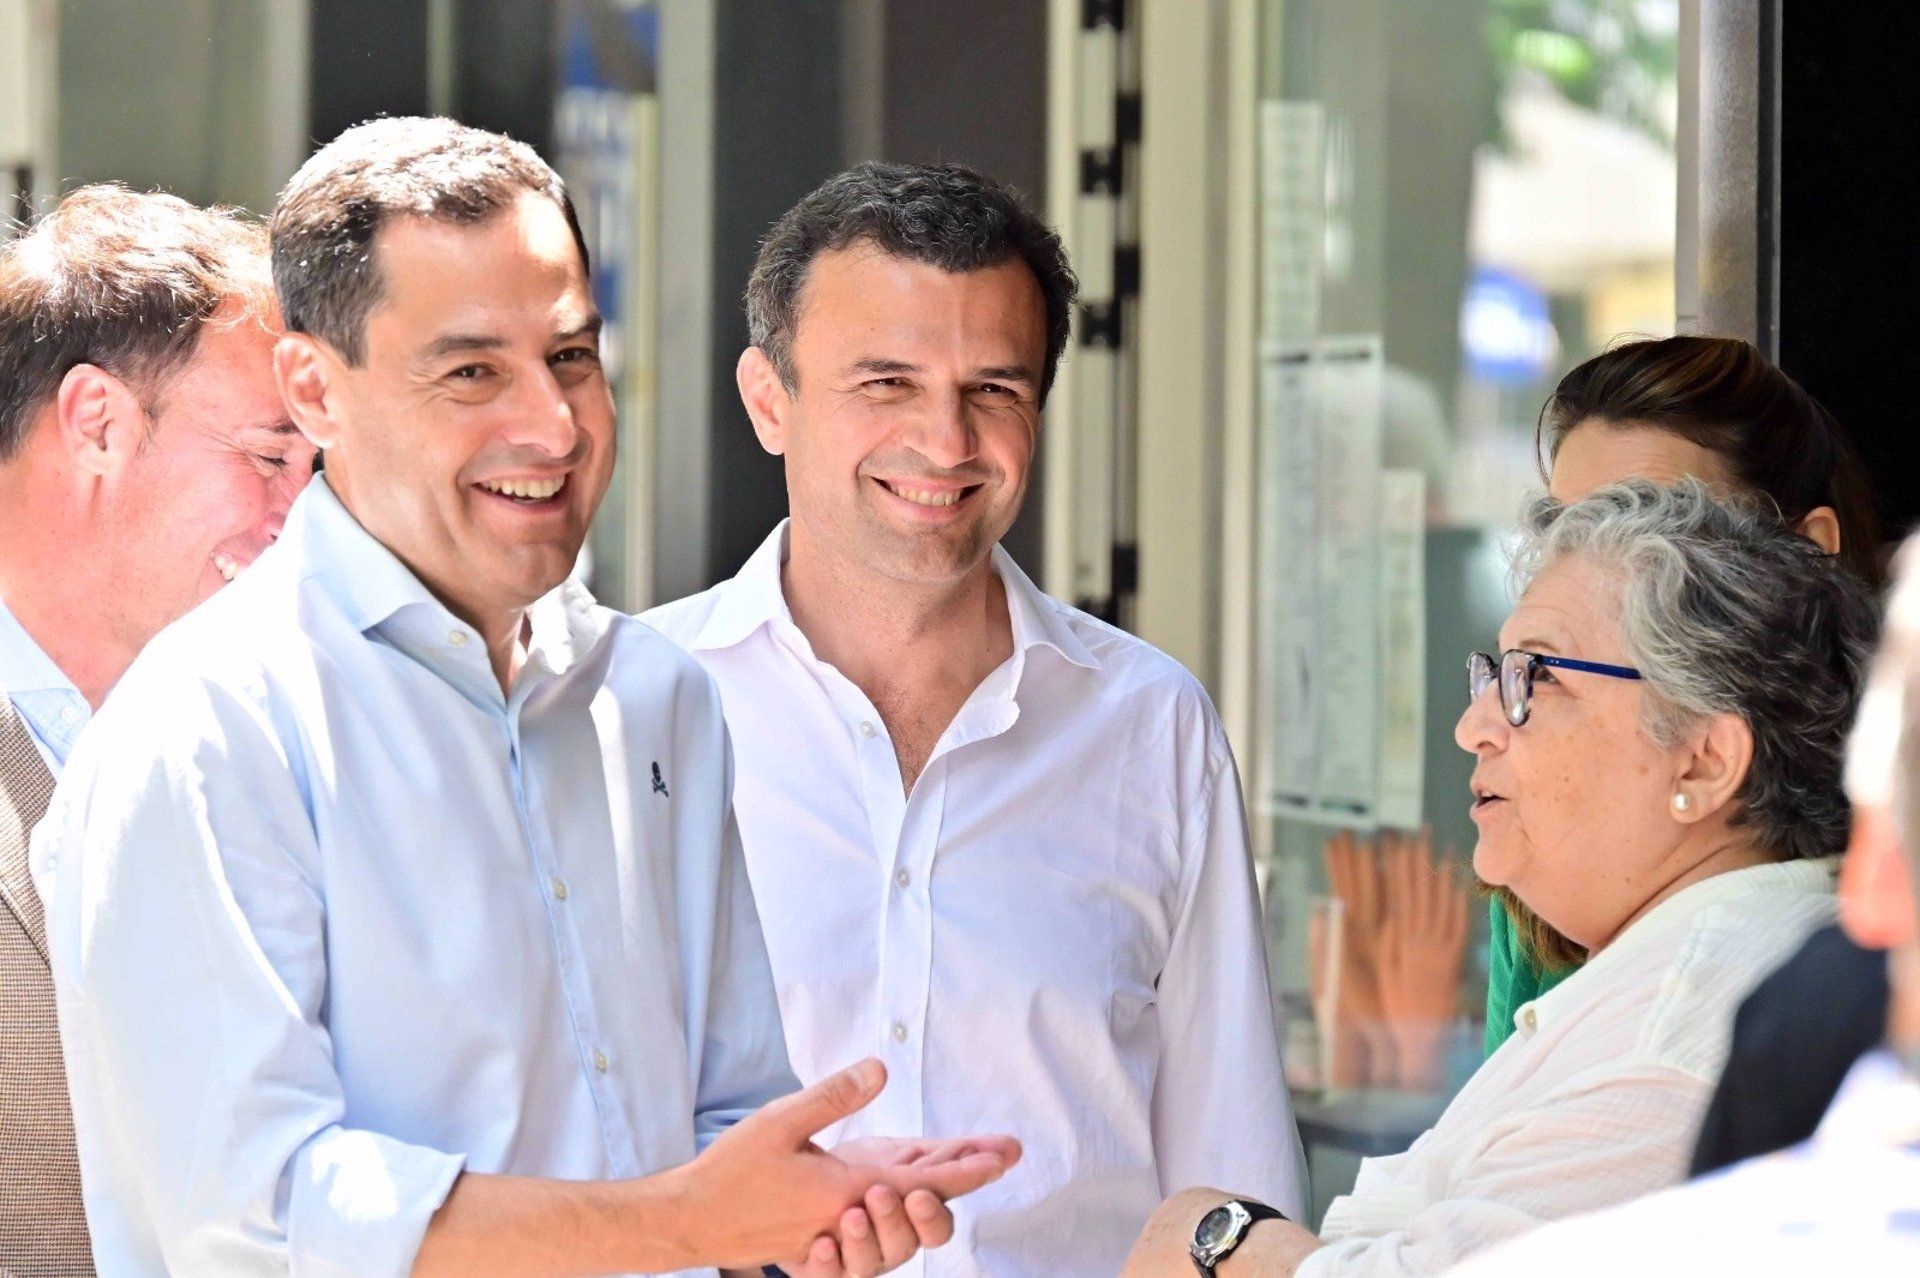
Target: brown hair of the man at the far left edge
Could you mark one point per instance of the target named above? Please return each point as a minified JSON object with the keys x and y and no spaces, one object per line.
{"x":124,"y":281}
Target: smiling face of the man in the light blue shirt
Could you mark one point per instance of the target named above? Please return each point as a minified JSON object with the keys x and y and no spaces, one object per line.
{"x":477,"y":438}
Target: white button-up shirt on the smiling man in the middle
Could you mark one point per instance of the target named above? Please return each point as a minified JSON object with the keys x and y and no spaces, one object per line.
{"x":1055,"y":935}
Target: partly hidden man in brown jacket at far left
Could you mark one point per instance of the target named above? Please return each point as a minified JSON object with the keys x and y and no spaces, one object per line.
{"x":145,"y":461}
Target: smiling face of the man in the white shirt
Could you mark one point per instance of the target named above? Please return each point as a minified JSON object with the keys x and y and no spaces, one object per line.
{"x":915,"y":415}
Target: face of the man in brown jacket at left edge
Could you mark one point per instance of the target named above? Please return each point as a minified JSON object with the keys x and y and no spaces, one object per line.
{"x":208,"y":488}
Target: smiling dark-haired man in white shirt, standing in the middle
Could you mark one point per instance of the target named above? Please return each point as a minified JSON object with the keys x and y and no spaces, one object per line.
{"x":999,"y":841}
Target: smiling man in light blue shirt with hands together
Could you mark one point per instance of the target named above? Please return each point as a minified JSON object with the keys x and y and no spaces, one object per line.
{"x":398,"y":916}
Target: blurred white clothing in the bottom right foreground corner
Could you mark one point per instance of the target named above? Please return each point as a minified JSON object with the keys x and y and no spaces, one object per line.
{"x":1848,"y":1202}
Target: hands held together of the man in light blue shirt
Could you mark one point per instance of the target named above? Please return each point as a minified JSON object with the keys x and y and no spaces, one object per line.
{"x":865,"y":1208}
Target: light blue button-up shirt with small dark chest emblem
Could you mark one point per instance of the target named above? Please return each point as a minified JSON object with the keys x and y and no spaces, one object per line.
{"x":333,"y":918}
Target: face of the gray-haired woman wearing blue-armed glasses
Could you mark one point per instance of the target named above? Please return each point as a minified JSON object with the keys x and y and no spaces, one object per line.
{"x":1573,"y":807}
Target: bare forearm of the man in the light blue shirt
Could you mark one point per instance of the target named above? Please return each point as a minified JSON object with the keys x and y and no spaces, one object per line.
{"x":529,"y":1227}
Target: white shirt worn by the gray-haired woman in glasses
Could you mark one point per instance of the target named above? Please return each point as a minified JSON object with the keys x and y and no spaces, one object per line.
{"x":1598,"y":1095}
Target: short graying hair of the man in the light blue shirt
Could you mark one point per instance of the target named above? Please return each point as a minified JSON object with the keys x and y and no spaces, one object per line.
{"x":404,"y":166}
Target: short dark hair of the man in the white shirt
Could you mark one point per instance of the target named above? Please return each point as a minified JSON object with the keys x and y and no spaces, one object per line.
{"x":942,"y":216}
